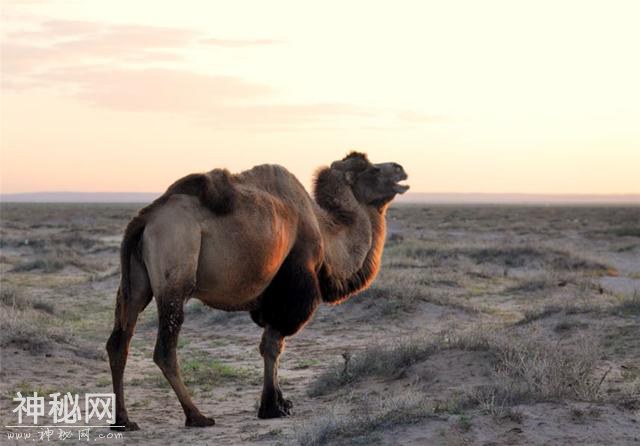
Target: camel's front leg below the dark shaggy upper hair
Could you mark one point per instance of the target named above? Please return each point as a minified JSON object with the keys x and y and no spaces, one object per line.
{"x":272,"y":404}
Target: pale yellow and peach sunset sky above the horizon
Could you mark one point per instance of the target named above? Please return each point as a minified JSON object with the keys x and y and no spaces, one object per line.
{"x":491,"y":97}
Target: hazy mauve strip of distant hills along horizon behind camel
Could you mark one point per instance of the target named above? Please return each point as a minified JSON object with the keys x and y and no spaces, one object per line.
{"x":417,"y":197}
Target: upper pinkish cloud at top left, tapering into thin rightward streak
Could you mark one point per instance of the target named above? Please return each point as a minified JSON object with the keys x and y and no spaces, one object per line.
{"x":59,"y":43}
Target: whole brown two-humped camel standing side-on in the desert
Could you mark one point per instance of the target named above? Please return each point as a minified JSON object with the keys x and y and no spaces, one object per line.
{"x":254,"y":241}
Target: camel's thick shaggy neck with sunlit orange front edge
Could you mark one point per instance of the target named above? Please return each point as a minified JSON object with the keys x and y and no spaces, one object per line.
{"x":353,"y":237}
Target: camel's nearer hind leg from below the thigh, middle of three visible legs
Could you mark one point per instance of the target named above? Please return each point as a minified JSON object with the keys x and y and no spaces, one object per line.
{"x":171,"y":316}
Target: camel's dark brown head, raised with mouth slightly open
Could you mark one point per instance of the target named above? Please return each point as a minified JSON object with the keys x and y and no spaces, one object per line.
{"x":372,"y":184}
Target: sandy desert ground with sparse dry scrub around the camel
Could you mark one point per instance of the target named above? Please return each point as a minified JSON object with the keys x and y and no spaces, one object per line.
{"x":487,"y":325}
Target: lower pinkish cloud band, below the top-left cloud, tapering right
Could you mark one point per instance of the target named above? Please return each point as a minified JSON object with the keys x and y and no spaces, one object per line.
{"x":217,"y":101}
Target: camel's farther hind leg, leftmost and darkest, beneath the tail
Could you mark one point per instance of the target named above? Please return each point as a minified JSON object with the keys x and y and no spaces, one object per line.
{"x":118,"y":343}
